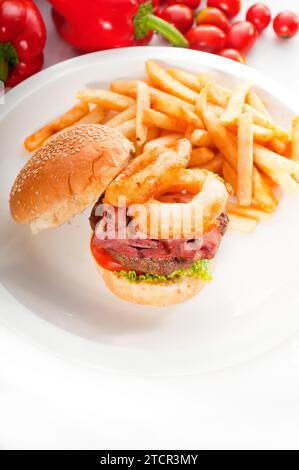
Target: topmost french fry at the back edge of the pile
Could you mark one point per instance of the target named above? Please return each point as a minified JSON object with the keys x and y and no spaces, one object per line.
{"x":163,"y":80}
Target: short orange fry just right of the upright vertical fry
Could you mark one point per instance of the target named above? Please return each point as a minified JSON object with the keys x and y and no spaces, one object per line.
{"x":262,"y":192}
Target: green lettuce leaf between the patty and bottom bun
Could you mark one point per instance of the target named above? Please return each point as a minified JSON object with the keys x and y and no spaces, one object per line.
{"x":199,"y":269}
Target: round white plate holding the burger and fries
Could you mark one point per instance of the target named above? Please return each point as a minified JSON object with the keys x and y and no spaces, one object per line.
{"x":52,"y":294}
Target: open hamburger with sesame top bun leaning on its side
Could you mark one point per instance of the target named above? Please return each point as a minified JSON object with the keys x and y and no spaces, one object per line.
{"x":82,"y":167}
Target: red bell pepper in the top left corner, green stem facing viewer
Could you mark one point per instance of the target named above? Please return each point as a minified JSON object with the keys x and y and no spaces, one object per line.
{"x":22,"y":40}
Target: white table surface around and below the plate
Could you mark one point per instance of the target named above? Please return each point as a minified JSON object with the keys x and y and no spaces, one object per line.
{"x":254,"y":405}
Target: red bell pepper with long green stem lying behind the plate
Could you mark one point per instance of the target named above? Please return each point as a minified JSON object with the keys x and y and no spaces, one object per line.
{"x":91,"y":25}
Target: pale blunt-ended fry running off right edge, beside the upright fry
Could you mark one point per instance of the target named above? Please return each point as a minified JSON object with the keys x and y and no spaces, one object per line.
{"x":270,"y":161}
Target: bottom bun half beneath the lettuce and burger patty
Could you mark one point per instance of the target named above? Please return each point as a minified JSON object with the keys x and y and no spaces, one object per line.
{"x":160,"y":294}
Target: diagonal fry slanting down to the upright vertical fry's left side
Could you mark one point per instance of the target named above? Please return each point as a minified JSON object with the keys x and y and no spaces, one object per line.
{"x":222,"y":138}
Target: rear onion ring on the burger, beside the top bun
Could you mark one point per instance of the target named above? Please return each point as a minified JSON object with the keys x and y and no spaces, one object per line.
{"x":149,"y":174}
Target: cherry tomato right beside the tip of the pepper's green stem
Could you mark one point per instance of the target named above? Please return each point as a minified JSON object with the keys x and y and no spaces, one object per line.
{"x":207,"y":38}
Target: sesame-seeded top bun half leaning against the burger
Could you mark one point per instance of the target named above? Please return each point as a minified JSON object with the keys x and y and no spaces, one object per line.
{"x":67,"y":175}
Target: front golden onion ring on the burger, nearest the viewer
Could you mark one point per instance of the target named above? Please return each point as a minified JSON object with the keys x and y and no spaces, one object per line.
{"x":184,"y":220}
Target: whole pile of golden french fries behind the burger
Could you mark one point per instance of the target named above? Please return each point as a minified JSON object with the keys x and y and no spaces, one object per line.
{"x":231,"y":132}
